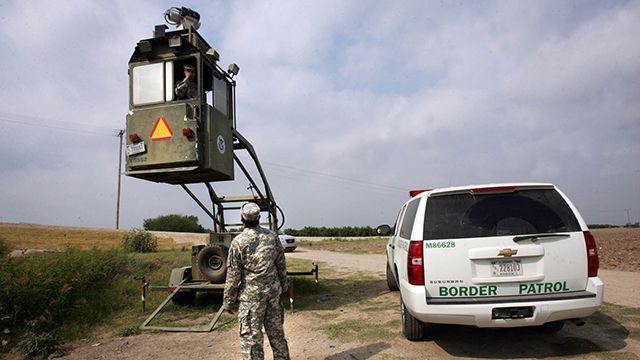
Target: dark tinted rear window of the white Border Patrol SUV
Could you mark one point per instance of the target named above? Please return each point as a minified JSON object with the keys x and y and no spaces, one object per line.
{"x":517,"y":213}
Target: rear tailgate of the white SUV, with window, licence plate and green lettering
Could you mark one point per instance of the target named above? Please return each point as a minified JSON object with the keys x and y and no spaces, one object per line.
{"x":520,"y":242}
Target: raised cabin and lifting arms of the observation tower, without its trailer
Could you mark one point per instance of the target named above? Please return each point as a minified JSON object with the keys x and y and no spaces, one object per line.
{"x":181,"y":124}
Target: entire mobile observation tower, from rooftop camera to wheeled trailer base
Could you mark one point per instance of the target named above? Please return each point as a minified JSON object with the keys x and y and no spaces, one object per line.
{"x":181,"y":130}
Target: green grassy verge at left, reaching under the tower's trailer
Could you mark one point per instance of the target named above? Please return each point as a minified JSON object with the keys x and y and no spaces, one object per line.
{"x":48,"y":293}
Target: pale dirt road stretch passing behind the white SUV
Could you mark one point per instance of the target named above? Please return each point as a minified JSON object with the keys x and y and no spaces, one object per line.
{"x":621,"y":287}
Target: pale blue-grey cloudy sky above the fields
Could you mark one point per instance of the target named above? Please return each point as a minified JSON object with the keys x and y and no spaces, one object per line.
{"x":349,"y":104}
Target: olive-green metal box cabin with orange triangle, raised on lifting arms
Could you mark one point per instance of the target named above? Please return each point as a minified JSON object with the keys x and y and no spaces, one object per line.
{"x":179,"y":141}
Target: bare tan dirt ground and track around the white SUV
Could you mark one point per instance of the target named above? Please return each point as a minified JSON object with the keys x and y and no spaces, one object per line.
{"x":370,"y":329}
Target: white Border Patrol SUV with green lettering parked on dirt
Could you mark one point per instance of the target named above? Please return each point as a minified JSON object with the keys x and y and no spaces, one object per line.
{"x":499,"y":255}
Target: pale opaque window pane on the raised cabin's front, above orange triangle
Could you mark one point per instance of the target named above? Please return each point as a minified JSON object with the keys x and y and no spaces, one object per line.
{"x":148,"y":86}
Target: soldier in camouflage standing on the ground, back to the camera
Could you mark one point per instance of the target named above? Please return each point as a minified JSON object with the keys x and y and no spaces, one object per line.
{"x":256,"y":276}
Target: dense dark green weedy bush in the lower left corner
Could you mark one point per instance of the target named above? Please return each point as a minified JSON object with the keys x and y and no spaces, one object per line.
{"x":46,"y":291}
